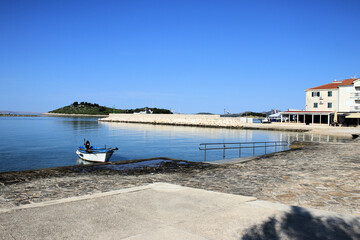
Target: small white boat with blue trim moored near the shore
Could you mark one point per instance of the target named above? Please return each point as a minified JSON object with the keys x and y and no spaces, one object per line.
{"x":95,"y":154}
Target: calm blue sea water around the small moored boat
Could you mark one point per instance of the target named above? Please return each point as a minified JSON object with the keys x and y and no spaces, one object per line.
{"x":41,"y":142}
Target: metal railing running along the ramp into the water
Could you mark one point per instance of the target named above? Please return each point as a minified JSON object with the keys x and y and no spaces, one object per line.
{"x":241,"y":145}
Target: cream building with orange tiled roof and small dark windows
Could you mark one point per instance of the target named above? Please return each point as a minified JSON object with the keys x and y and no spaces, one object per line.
{"x":342,"y":96}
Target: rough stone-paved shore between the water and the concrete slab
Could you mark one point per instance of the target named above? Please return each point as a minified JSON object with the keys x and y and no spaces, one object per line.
{"x":316,"y":175}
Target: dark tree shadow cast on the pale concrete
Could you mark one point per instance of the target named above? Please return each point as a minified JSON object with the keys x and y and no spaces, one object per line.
{"x":300,"y":224}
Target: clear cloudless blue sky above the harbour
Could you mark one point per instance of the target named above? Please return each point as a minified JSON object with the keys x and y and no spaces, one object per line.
{"x":188,"y":55}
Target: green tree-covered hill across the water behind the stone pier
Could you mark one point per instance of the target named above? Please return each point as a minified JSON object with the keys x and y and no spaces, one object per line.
{"x":96,"y":109}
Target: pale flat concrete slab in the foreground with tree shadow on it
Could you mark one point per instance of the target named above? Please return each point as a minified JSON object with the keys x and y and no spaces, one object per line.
{"x":166,"y":211}
